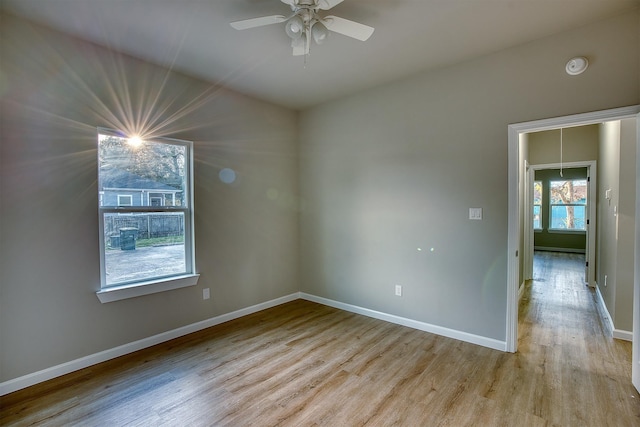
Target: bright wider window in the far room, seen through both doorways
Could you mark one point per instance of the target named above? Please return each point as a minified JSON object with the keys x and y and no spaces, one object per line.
{"x":568,"y":204}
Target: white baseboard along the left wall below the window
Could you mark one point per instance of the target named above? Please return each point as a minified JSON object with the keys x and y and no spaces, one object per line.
{"x":93,"y":359}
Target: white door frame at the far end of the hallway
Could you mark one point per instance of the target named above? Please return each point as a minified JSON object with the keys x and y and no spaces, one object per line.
{"x":590,"y":243}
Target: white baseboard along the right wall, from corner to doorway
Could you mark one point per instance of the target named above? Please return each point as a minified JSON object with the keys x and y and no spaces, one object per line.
{"x":422,"y":326}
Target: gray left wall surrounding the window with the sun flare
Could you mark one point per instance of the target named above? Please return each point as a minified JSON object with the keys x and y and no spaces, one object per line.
{"x":55,"y":92}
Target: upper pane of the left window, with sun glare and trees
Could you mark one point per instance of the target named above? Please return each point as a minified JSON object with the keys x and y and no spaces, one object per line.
{"x":145,"y":174}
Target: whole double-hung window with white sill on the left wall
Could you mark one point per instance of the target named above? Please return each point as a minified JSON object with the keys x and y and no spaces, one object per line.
{"x":145,"y":205}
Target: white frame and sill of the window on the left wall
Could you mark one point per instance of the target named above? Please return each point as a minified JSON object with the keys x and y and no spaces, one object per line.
{"x":146,"y":287}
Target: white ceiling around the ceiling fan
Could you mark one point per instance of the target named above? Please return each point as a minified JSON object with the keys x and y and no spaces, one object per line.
{"x":194,"y":36}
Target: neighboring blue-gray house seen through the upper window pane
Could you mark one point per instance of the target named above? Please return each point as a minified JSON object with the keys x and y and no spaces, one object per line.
{"x":122,"y":188}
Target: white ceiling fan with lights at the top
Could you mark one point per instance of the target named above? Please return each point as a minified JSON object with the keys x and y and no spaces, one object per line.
{"x":305,"y":23}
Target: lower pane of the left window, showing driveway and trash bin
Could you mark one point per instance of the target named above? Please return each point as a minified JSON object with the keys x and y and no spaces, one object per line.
{"x":143,"y":246}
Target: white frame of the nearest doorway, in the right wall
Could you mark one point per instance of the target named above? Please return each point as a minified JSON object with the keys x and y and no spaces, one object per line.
{"x":515,"y":216}
